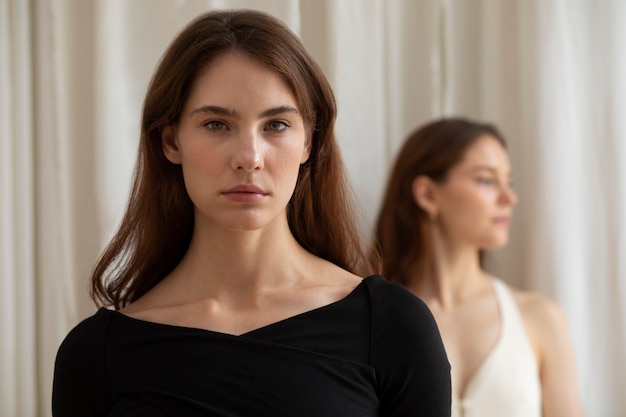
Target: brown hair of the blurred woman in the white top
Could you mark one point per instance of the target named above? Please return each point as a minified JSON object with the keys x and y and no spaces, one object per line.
{"x":402,"y":232}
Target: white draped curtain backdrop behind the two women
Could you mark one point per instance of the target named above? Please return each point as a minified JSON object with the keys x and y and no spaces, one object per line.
{"x":550,"y":73}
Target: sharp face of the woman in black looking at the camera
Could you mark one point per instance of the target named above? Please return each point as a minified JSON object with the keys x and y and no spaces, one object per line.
{"x":240,"y":141}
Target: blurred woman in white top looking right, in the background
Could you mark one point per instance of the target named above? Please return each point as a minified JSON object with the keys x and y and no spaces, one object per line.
{"x":448,"y":199}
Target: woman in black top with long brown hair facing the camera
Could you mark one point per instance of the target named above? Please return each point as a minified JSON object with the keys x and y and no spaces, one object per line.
{"x":234,"y":282}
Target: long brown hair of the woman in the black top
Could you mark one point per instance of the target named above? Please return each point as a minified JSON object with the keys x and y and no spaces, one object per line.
{"x":156,"y":229}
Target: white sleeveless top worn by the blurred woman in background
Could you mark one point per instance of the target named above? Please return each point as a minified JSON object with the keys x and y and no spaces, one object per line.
{"x":507,"y":382}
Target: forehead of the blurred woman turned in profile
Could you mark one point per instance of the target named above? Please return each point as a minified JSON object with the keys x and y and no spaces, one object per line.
{"x":485,"y":152}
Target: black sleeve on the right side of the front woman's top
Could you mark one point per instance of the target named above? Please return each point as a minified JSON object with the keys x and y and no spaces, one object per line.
{"x":413,"y":371}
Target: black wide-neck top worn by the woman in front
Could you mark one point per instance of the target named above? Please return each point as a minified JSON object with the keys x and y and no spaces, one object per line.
{"x":377,"y":352}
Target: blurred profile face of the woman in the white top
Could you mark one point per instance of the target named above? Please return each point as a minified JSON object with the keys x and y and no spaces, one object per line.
{"x":475,"y":202}
